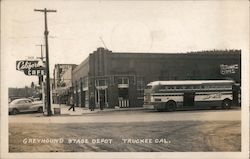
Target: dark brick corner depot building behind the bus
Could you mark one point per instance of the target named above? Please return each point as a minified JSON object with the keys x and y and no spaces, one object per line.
{"x":108,"y":79}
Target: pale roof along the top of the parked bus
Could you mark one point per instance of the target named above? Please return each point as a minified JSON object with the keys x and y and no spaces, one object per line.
{"x":190,"y":82}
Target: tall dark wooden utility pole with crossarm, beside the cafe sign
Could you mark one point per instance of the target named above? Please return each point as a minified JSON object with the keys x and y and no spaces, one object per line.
{"x":46,"y":33}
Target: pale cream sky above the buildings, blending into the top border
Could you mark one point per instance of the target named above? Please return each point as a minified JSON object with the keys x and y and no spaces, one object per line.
{"x":76,"y":29}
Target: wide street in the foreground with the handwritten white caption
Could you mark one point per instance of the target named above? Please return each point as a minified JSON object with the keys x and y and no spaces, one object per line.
{"x":126,"y":131}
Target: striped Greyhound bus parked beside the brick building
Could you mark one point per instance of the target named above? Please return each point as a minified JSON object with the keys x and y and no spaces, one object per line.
{"x":188,"y":94}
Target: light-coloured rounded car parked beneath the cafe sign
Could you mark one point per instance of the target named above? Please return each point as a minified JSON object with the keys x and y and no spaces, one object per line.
{"x":24,"y":105}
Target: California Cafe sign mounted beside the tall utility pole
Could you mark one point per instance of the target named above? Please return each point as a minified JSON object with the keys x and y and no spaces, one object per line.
{"x":31,"y":67}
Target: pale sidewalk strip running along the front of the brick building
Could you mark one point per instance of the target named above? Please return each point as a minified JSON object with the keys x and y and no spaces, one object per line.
{"x":81,"y":111}
